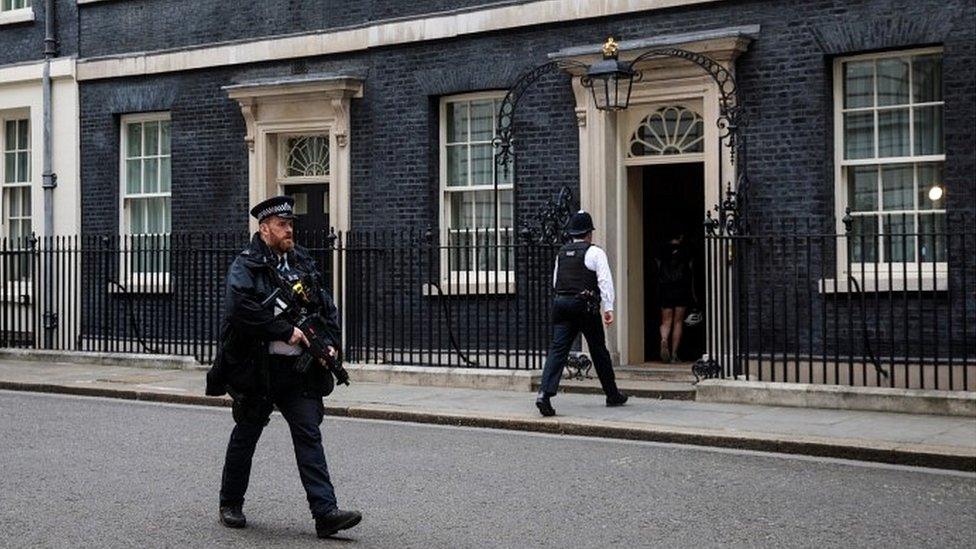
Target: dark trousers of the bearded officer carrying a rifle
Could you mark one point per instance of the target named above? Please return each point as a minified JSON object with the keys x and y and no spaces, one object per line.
{"x":304,"y":415}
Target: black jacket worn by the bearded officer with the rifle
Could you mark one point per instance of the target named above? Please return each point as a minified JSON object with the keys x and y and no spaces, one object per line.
{"x":240,"y":366}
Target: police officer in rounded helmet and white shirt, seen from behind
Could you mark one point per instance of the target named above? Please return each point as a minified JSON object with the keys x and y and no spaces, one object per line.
{"x":583,"y":287}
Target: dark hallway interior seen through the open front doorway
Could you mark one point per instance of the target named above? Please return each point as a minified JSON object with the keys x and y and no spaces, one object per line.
{"x":674,"y":202}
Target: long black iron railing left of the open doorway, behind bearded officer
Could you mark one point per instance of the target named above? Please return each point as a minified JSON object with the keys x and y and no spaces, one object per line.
{"x":406,"y":297}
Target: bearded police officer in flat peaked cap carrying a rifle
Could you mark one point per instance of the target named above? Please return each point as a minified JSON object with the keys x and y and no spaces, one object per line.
{"x":257,"y":364}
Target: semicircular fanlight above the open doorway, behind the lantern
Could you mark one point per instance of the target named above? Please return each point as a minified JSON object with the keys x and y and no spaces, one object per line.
{"x":668,"y":130}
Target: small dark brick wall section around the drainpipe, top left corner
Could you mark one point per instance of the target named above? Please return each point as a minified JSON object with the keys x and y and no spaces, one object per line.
{"x":22,"y":42}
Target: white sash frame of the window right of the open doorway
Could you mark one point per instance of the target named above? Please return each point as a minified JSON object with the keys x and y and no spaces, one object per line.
{"x":908,"y":275}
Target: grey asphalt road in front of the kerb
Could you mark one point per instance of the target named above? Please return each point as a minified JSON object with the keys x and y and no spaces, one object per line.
{"x":101,"y":473}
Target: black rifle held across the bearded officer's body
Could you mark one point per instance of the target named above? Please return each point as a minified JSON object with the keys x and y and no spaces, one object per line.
{"x":294,"y":302}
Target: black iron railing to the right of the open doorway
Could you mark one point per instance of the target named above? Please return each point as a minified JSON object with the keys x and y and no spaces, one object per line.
{"x":864,"y":307}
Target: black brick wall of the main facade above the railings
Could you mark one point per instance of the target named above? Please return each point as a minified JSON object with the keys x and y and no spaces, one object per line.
{"x":784,"y":82}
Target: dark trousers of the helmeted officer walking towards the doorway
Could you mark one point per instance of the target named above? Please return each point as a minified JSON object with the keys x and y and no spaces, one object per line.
{"x":569,"y":318}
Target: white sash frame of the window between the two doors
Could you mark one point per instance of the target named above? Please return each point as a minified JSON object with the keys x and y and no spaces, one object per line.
{"x":468,"y":281}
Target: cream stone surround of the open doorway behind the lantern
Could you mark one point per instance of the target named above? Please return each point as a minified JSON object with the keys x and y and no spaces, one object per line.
{"x":605,"y":189}
